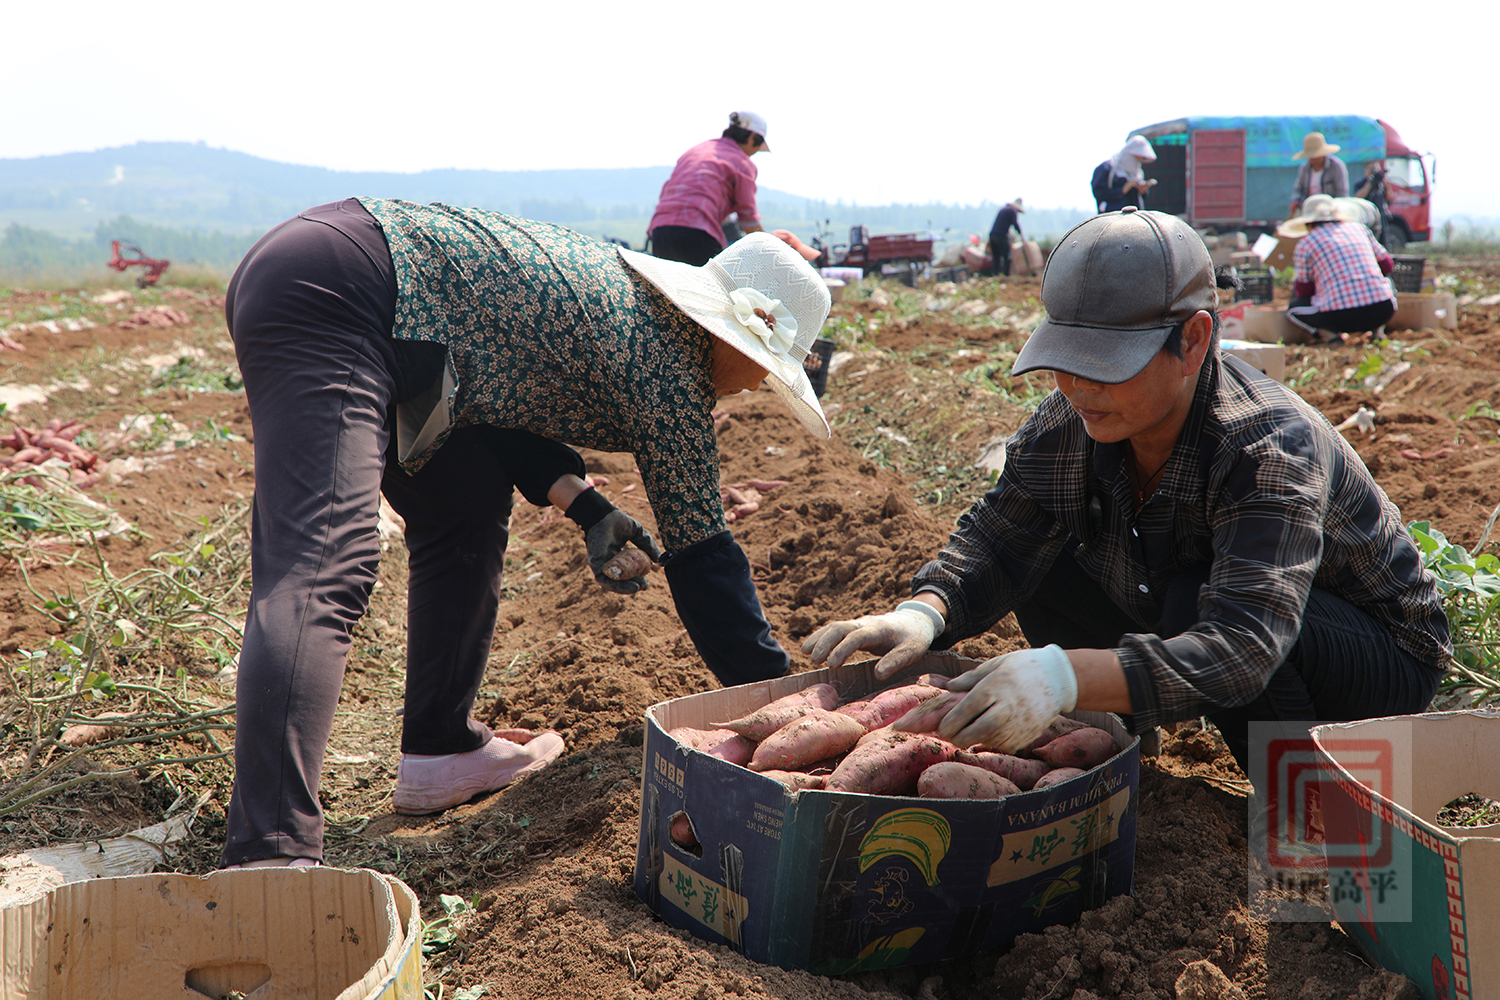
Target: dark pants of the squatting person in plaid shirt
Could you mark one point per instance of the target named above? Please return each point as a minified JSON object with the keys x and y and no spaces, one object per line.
{"x":1345,"y":665}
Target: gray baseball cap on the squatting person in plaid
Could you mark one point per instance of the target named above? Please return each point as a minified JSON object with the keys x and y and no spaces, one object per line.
{"x":1114,"y":290}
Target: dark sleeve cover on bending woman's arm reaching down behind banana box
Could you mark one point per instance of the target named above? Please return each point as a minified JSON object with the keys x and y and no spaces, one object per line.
{"x":718,"y":603}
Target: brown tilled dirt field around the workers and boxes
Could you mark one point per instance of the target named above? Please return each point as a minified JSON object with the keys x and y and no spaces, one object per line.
{"x":548,"y":864}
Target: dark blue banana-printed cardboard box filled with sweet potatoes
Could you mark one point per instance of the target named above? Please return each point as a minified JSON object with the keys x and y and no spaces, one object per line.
{"x":836,"y":882}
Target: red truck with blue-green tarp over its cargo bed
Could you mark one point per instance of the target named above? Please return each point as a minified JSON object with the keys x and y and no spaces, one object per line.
{"x":1237,"y":173}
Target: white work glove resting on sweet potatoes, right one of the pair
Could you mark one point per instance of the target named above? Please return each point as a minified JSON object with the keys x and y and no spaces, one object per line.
{"x":1012,"y":699}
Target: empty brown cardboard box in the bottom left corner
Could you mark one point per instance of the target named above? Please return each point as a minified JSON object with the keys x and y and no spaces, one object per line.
{"x":265,"y":933}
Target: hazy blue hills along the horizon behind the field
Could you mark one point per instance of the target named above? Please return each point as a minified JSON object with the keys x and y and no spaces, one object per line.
{"x":199,"y":205}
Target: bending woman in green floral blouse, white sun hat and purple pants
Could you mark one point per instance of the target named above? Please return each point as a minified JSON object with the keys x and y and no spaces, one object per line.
{"x":436,"y":355}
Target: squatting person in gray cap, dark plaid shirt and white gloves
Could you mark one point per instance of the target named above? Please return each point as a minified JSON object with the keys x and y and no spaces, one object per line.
{"x":1178,"y":534}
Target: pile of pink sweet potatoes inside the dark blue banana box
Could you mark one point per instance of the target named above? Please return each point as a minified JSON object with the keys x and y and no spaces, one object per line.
{"x":887,"y":744}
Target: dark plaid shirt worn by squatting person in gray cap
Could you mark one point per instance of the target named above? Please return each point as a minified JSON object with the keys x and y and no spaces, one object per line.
{"x":1259,"y":487}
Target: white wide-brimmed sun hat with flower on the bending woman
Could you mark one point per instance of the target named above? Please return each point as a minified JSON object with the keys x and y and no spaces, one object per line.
{"x":760,"y":298}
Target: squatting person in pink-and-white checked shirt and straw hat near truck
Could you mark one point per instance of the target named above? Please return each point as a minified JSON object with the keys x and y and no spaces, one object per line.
{"x":1340,"y":283}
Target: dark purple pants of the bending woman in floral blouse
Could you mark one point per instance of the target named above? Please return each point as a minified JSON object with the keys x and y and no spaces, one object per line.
{"x":311,"y":311}
